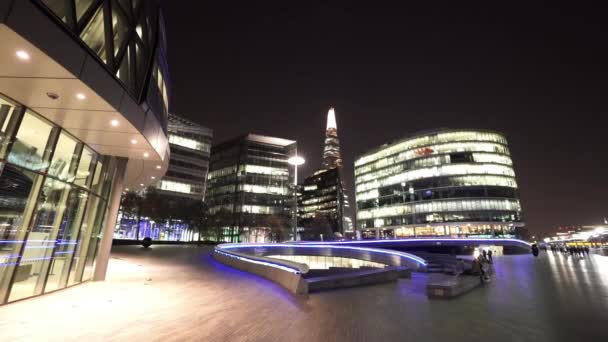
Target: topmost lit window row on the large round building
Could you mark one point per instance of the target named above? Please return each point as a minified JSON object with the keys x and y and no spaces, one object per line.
{"x":427,"y":140}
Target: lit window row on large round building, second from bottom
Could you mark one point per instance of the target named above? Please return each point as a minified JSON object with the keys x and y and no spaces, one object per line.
{"x":440,"y":206}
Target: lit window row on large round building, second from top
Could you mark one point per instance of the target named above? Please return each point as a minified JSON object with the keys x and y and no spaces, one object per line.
{"x":445,"y":148}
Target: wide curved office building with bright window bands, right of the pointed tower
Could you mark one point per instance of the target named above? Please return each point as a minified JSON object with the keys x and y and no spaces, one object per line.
{"x":442,"y":183}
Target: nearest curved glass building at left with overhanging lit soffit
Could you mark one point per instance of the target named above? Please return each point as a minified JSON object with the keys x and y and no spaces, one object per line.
{"x":83,"y":116}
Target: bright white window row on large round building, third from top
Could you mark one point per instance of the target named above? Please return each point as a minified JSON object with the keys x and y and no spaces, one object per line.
{"x":436,"y":171}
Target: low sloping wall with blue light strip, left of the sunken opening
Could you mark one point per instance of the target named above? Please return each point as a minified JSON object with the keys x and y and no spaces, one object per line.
{"x":286,"y":274}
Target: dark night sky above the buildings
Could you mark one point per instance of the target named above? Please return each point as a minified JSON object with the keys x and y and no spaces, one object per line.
{"x":539,"y":75}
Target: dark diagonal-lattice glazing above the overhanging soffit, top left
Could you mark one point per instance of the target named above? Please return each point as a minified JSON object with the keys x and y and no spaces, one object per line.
{"x":122,"y":34}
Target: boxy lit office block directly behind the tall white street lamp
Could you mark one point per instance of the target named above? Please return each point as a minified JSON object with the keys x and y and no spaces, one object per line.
{"x":250,"y":186}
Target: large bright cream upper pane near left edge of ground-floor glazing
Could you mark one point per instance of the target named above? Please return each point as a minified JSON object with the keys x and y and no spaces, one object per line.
{"x":30,"y":143}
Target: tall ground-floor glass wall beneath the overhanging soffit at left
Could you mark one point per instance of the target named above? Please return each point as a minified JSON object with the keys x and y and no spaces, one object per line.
{"x":53,"y":198}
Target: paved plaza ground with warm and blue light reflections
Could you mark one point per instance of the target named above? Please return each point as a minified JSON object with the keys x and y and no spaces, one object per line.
{"x":178,"y":293}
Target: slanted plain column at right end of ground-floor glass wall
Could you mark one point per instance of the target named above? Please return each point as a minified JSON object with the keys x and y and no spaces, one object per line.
{"x":103,"y":255}
